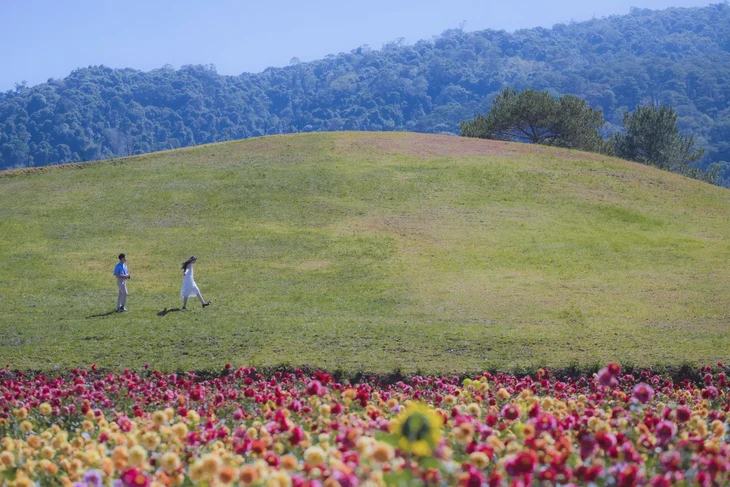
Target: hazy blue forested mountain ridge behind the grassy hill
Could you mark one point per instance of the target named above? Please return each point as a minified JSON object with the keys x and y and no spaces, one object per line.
{"x":677,"y":57}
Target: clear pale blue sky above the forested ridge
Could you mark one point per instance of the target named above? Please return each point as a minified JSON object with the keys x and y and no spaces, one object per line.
{"x":44,"y":39}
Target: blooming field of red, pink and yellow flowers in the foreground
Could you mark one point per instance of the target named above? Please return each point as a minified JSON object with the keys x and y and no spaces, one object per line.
{"x":89,"y":428}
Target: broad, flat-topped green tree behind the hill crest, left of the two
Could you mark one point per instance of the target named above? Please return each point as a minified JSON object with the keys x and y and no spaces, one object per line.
{"x":536,"y":117}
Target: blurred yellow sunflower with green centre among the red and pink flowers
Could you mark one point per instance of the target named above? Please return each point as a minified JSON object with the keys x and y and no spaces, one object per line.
{"x":417,"y":429}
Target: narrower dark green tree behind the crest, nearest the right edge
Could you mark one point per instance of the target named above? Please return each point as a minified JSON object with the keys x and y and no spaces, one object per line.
{"x":652,"y":137}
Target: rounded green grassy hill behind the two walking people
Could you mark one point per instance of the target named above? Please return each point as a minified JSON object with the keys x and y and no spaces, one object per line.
{"x":365,"y":252}
